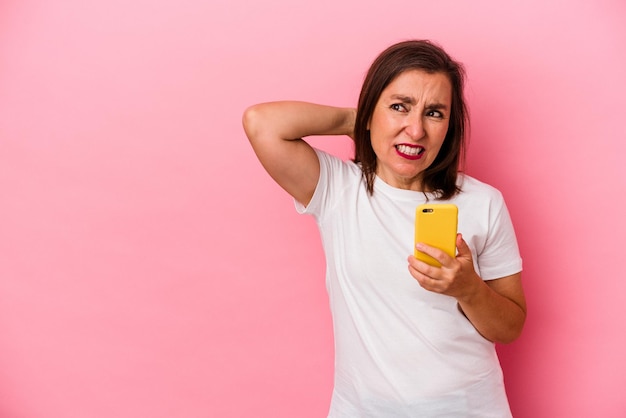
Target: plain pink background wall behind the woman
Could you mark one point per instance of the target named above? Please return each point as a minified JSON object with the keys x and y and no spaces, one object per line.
{"x":150,"y":268}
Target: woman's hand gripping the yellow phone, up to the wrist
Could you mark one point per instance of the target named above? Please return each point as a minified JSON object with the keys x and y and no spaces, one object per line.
{"x":456,"y":277}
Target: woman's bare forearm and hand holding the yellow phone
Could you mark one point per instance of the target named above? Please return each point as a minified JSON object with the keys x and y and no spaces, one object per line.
{"x":496,"y":308}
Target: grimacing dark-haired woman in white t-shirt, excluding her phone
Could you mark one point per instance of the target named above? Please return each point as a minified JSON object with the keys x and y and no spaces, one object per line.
{"x":411,"y":340}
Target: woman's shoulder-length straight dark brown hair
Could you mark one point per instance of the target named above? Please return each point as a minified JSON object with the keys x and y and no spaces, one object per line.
{"x":440,"y":177}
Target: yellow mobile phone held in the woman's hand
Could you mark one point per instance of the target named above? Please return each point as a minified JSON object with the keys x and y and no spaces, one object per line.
{"x":436,"y":225}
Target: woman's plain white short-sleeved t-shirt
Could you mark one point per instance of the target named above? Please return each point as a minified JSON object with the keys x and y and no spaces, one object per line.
{"x":400,"y":350}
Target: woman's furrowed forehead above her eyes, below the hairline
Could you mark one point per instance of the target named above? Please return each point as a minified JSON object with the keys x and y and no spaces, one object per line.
{"x":420,"y":86}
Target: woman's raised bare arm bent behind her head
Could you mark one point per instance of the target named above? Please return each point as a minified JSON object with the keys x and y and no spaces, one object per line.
{"x":275,"y":131}
